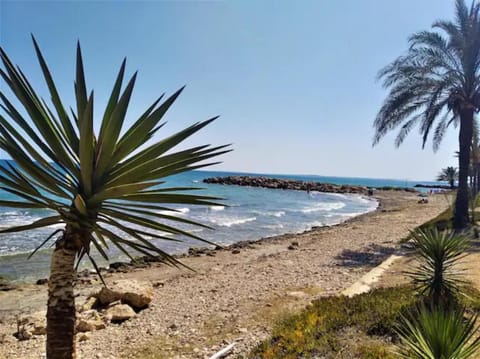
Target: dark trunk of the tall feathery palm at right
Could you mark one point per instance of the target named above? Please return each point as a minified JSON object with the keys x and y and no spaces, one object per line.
{"x":465,"y":141}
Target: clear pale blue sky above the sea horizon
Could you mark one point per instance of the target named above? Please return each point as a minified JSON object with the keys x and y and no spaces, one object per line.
{"x":293,"y":81}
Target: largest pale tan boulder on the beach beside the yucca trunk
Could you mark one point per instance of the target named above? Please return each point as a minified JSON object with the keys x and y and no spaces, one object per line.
{"x":135,"y":293}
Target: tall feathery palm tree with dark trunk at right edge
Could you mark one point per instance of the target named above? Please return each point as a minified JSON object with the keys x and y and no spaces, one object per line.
{"x":437,"y":82}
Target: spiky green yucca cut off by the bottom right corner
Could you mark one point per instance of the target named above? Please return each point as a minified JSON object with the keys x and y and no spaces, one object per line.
{"x":436,"y":333}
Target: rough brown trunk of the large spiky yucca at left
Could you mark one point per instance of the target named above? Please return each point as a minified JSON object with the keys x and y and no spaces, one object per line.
{"x":61,"y":300}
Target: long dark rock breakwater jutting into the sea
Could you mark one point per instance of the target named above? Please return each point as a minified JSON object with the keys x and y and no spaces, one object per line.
{"x":290,"y":184}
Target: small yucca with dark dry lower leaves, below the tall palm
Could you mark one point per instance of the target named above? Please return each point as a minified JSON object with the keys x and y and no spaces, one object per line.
{"x":438,"y":276}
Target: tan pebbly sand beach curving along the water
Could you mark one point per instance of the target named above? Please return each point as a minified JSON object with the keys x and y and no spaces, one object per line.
{"x":235,"y":295}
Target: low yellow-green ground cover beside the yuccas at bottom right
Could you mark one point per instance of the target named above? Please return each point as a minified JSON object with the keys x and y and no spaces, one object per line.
{"x":342,"y":327}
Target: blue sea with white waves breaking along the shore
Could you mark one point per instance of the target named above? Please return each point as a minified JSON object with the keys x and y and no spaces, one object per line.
{"x":246,"y":213}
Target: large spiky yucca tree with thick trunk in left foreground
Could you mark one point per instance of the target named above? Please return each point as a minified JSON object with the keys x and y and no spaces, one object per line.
{"x":105,"y":189}
